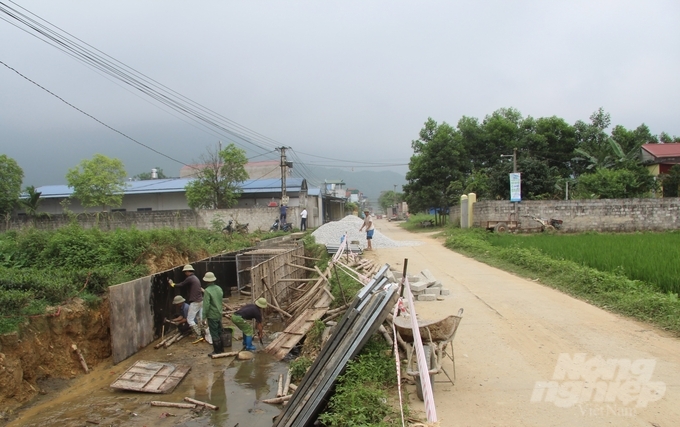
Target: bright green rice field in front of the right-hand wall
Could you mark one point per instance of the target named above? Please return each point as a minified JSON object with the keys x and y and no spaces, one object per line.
{"x":653,"y":258}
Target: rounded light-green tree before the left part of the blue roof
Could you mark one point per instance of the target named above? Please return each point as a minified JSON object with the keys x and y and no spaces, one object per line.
{"x":98,"y":182}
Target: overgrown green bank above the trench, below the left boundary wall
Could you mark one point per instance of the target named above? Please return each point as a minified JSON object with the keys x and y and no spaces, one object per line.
{"x":47,"y":268}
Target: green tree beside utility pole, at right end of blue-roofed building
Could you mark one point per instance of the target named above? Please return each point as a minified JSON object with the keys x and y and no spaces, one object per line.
{"x":217,"y":183}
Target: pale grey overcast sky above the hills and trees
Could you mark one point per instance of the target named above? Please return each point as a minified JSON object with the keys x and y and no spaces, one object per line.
{"x":348,"y":80}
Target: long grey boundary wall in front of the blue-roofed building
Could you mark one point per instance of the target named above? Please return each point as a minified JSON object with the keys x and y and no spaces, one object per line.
{"x":257,"y":217}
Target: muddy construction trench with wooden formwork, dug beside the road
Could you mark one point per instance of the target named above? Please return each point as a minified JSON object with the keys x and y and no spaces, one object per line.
{"x":131,"y":330}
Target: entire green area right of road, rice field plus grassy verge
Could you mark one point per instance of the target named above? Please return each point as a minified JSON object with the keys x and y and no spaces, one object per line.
{"x":637,"y":275}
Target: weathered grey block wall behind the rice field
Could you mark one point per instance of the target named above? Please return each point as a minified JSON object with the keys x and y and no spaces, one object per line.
{"x":621,"y":215}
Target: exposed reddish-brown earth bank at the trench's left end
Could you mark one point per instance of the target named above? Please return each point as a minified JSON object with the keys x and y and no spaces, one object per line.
{"x":41,"y":349}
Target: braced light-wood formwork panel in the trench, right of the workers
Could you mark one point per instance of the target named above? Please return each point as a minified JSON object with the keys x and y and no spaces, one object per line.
{"x":274,"y":277}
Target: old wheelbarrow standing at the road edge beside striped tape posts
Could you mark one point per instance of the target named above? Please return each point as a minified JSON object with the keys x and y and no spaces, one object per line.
{"x":436,"y":336}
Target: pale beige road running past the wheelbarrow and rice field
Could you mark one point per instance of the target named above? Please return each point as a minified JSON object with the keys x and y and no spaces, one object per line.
{"x":516,"y":332}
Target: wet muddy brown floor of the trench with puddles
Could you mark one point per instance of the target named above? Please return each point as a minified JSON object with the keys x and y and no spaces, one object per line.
{"x":237,"y":387}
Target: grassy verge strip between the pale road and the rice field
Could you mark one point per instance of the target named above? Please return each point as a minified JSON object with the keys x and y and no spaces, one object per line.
{"x":610,"y":290}
